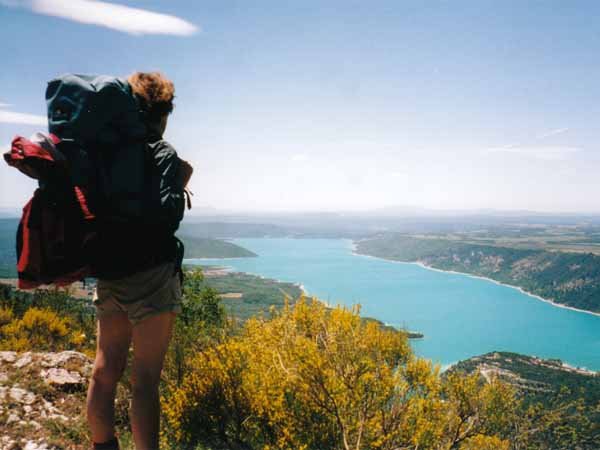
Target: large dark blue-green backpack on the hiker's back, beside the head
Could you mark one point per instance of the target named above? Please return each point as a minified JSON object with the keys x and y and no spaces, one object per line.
{"x":103,"y":137}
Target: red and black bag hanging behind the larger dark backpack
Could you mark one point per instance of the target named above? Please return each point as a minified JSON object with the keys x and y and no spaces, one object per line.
{"x":56,"y":231}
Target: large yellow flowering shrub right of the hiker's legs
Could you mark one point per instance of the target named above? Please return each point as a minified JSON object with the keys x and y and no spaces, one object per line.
{"x":316,"y":378}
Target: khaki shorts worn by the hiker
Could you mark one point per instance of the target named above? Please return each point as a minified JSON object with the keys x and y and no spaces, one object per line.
{"x":140,"y":295}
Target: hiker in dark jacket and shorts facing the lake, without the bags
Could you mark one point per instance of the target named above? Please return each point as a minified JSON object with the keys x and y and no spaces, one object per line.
{"x":138,"y":266}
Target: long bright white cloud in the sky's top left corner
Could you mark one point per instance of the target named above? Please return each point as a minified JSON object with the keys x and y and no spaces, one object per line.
{"x":110,"y":15}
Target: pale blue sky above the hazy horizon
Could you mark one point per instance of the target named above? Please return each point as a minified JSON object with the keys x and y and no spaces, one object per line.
{"x":327,"y":105}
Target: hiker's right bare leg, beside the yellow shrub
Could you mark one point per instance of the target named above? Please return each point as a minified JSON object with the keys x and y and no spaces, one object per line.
{"x":150,"y":342}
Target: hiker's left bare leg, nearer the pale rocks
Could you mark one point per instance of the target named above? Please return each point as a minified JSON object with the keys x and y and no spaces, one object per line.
{"x":114,"y":337}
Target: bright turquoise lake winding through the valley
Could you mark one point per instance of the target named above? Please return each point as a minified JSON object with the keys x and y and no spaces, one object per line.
{"x":460,"y":316}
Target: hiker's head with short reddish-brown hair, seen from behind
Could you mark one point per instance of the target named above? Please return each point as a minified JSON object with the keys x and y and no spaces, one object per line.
{"x":155,"y":94}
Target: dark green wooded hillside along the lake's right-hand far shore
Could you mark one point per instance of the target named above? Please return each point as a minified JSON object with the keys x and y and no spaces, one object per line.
{"x":571,"y":279}
